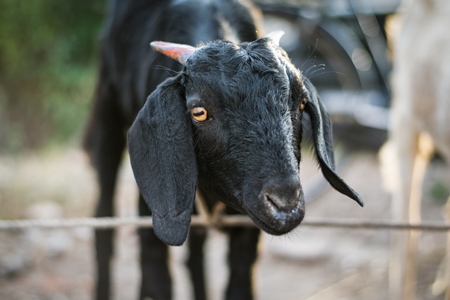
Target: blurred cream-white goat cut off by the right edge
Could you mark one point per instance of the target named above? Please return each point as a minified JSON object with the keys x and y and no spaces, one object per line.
{"x":420,"y":121}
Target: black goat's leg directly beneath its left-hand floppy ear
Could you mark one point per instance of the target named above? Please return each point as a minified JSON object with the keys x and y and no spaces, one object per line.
{"x":156,"y":282}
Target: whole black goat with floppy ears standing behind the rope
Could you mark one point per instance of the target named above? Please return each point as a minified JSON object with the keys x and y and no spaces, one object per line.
{"x":230,"y":123}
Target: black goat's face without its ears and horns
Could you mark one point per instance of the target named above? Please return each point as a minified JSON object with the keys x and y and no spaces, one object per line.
{"x":247,"y":148}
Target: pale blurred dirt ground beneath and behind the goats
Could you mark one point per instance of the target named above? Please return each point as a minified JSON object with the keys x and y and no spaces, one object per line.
{"x":307,"y":264}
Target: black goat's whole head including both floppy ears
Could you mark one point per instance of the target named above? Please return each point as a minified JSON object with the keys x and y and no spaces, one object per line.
{"x":232,"y":124}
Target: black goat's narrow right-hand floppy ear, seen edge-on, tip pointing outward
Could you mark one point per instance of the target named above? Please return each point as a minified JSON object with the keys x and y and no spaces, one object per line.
{"x":320,"y":126}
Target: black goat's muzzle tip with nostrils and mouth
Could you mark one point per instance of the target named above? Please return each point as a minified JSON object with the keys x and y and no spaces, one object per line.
{"x":277,"y":221}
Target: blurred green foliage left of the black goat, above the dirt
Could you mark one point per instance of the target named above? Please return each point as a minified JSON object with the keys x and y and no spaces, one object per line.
{"x":48,"y":54}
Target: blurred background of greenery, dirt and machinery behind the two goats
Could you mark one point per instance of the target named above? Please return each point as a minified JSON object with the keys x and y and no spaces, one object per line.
{"x":48,"y":68}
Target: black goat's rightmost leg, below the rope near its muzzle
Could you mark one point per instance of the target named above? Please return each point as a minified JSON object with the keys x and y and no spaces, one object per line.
{"x":241,"y":259}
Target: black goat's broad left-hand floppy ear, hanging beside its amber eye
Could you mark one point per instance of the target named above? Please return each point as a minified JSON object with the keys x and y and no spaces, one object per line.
{"x":163,"y":160}
